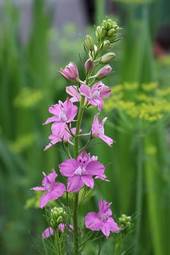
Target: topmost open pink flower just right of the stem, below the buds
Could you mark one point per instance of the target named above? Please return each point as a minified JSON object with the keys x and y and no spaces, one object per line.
{"x":95,"y":94}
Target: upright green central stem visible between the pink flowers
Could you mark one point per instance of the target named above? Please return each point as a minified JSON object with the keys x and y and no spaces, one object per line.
{"x":76,"y":195}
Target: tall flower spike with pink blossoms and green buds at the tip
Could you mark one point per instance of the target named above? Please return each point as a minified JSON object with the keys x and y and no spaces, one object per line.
{"x":80,"y":169}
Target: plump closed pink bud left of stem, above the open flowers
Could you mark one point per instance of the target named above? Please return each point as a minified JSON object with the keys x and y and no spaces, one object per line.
{"x":70,"y":72}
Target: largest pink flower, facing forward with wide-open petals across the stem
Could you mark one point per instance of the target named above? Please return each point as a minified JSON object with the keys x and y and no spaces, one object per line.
{"x":81,"y":171}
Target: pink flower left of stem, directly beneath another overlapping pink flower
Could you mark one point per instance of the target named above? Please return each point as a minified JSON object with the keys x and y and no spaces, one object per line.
{"x":59,"y":132}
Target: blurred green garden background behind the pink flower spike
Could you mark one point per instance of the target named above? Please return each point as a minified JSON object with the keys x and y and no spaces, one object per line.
{"x":36,"y":38}
